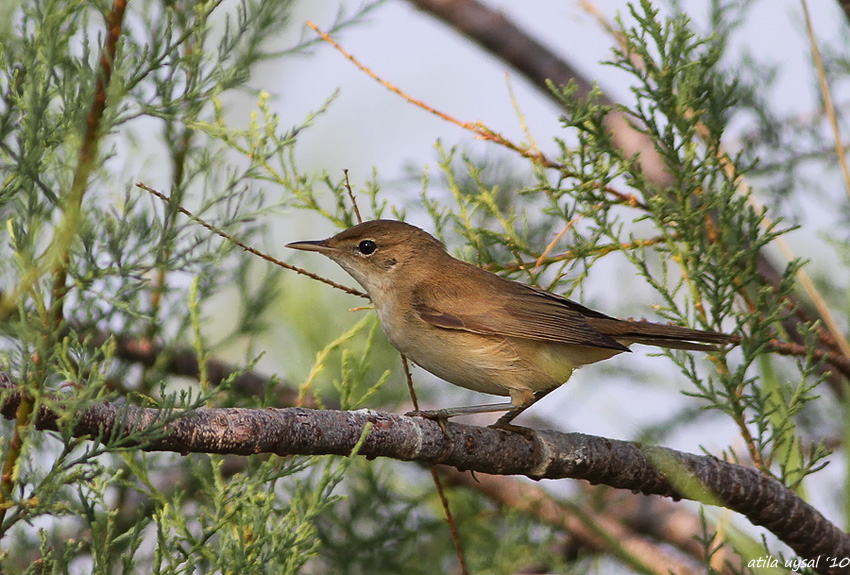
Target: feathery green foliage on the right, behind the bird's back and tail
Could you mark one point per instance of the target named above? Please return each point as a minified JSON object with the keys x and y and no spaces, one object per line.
{"x":707,"y":234}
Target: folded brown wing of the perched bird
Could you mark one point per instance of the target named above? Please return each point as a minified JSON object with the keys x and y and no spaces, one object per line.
{"x":516,"y":310}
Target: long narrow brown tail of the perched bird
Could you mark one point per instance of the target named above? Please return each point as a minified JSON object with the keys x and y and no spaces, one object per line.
{"x":661,"y":335}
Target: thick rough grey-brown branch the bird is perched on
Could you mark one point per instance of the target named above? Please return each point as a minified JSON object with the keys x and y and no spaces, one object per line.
{"x":539,"y":455}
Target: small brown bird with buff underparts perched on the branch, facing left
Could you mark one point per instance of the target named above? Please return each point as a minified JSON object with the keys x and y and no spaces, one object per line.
{"x":478,"y":330}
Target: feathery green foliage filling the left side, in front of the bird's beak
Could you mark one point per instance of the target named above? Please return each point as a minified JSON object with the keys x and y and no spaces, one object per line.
{"x":129,"y":261}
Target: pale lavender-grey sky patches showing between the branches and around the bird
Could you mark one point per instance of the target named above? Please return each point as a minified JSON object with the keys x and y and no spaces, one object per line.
{"x":368,"y":128}
